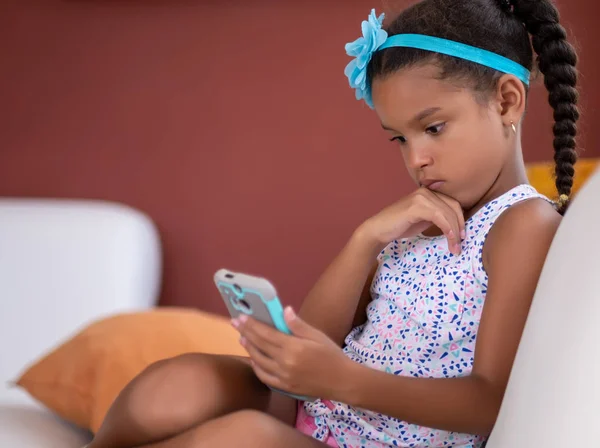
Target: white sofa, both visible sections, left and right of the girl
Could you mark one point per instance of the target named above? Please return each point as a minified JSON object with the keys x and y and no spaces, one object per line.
{"x":64,"y":263}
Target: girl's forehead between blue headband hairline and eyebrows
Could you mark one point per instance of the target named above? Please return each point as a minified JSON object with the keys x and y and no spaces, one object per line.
{"x":401,"y":95}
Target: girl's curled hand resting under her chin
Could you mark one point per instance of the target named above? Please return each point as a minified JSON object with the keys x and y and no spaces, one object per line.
{"x":415,"y":213}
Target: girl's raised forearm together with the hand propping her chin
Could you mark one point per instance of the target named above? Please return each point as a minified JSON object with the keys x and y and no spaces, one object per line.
{"x":336,"y":302}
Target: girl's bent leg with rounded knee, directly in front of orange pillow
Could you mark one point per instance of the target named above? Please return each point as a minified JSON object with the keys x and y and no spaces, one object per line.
{"x":175,"y":395}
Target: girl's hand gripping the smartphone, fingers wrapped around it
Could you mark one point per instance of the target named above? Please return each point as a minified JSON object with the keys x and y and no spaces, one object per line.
{"x":305,"y":363}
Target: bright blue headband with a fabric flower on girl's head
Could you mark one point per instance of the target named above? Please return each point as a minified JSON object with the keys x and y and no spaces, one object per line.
{"x":375,"y":38}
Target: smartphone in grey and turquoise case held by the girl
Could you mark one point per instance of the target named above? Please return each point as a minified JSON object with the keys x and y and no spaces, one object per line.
{"x":255,"y":297}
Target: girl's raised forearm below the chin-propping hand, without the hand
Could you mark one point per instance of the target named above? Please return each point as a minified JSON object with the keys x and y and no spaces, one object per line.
{"x":339,"y":299}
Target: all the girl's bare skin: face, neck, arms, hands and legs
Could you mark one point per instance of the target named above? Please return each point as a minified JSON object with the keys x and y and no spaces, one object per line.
{"x":459,"y":138}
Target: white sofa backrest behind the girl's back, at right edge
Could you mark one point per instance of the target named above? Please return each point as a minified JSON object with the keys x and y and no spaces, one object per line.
{"x":553,"y":396}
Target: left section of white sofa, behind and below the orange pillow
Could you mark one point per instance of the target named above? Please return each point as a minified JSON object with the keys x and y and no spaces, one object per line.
{"x":64,"y":263}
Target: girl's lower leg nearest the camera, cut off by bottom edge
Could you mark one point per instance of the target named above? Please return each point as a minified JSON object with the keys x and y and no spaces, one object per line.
{"x":250,"y":429}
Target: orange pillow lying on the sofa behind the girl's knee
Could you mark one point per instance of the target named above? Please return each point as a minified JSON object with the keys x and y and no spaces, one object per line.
{"x":80,"y":379}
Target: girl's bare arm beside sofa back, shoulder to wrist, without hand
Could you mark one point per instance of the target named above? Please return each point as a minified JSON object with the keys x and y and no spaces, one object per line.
{"x":514,"y":254}
